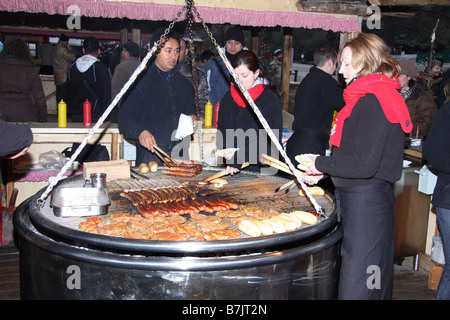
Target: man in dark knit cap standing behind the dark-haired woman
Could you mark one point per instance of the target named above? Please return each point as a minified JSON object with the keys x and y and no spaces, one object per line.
{"x":217,"y":75}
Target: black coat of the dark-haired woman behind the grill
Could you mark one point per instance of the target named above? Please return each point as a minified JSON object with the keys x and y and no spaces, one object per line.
{"x":233,"y":117}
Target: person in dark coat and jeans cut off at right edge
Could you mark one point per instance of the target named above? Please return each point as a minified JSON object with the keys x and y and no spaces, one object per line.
{"x":436,"y":150}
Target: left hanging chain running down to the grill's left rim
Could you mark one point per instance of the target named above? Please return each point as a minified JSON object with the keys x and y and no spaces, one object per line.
{"x":100,"y":121}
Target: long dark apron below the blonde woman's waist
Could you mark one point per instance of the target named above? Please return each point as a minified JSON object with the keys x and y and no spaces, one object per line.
{"x":368,"y":219}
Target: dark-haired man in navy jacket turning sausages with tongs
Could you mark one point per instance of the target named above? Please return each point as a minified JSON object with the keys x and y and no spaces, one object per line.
{"x":151,"y":110}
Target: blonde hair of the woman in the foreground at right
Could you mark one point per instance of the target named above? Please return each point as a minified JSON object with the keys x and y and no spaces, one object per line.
{"x":372,"y":54}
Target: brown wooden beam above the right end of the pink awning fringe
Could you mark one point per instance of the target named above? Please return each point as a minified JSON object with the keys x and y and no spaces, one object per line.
{"x":357,"y":7}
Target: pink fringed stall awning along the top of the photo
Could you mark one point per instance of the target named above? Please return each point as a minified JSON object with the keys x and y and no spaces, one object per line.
{"x":268,"y":13}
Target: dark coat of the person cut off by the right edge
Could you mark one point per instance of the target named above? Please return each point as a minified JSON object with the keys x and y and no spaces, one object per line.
{"x":436,"y":150}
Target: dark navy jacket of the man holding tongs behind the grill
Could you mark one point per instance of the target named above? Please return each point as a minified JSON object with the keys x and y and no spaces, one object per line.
{"x":155,"y":103}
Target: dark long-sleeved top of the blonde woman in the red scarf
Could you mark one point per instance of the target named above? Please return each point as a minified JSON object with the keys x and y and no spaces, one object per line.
{"x":371,"y":149}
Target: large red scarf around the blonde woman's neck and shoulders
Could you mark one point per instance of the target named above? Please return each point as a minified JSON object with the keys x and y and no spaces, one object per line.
{"x":385,"y":89}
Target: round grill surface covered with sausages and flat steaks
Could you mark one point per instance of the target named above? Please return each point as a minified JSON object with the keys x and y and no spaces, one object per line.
{"x":159,"y":207}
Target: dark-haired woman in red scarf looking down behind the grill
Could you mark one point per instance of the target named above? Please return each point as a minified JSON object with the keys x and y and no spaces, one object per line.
{"x":238,"y":125}
